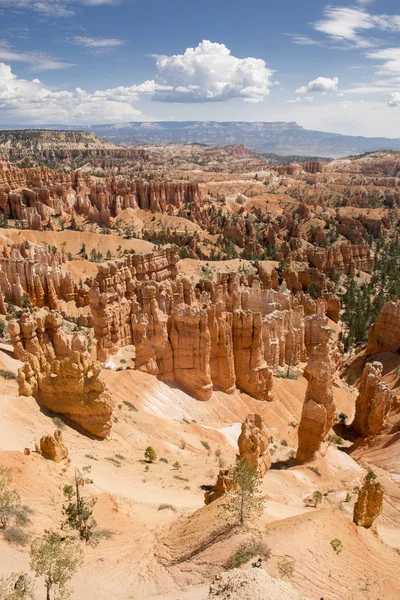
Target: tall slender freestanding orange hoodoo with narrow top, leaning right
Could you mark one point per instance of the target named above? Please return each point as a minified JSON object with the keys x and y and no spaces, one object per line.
{"x":319,"y":407}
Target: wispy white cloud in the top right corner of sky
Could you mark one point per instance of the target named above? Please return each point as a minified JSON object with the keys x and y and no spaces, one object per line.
{"x":345,"y":24}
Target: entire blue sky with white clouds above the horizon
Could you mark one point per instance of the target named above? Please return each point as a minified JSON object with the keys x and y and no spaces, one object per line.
{"x":329,"y":66}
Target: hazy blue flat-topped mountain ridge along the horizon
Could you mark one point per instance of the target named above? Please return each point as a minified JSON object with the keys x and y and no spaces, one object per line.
{"x":282,"y":138}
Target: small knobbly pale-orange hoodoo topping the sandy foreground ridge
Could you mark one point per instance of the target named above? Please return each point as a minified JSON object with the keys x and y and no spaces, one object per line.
{"x":253,"y":444}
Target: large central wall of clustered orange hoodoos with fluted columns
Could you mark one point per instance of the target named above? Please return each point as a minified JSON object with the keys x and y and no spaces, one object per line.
{"x":212,"y":336}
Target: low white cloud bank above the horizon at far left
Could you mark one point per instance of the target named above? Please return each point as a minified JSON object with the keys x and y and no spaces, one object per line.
{"x":31,"y":101}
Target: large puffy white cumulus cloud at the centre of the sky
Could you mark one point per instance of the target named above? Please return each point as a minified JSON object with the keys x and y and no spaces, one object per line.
{"x":209,"y":73}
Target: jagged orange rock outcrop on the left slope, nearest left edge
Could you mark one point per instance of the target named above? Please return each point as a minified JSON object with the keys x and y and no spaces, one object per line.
{"x":59,"y":373}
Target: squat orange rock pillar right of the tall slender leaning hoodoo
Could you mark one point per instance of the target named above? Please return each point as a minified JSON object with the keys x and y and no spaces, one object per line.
{"x":373,"y":402}
